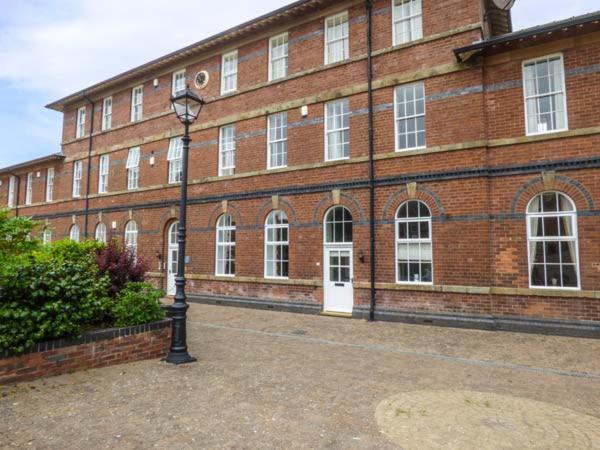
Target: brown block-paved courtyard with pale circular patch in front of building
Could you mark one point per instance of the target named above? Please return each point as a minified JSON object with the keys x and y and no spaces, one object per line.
{"x":277,"y":380}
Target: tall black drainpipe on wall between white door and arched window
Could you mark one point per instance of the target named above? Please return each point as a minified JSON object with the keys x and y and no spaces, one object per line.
{"x":369,"y":11}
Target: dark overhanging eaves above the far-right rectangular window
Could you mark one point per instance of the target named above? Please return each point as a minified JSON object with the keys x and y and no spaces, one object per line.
{"x":590,"y":22}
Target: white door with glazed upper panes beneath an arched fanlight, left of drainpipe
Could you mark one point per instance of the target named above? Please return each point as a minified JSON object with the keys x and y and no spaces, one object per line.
{"x":338,"y":278}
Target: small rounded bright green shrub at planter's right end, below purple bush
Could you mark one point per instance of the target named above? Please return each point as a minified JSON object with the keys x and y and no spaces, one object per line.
{"x":136,"y":304}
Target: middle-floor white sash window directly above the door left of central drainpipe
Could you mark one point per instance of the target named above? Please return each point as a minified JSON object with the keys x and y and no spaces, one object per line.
{"x":337,"y":130}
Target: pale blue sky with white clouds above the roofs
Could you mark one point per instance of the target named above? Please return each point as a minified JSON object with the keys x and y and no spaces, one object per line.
{"x":51,"y":48}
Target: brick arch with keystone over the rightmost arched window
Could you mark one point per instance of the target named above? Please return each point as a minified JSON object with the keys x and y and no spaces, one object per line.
{"x":572,"y":188}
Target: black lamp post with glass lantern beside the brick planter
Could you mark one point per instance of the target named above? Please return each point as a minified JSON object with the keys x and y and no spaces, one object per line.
{"x":187,"y":106}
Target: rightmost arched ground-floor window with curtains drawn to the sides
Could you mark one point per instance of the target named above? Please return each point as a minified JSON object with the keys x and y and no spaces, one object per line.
{"x":552,"y":240}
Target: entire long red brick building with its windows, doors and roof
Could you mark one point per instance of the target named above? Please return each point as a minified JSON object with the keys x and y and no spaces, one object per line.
{"x":422,"y":136}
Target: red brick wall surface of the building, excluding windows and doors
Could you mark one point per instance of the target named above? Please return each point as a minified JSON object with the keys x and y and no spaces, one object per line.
{"x":477,"y":173}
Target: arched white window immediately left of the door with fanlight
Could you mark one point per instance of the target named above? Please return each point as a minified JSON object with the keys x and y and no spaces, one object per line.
{"x":276,"y":245}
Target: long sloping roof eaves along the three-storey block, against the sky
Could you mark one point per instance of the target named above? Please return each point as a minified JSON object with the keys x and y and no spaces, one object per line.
{"x":296,"y":8}
